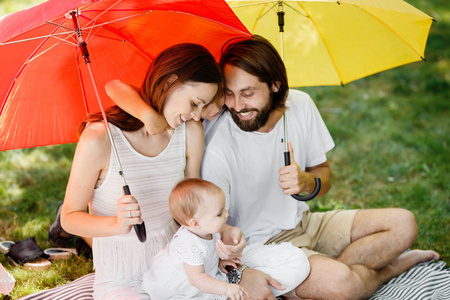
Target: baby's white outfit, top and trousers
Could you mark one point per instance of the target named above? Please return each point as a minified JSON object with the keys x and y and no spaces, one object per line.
{"x":168,"y":280}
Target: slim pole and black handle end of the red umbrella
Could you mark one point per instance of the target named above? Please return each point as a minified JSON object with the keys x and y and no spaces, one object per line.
{"x":139,"y":228}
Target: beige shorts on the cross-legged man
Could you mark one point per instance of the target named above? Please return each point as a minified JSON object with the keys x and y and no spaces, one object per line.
{"x":326,"y":233}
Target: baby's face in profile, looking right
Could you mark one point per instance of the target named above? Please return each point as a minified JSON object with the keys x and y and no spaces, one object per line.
{"x":213,"y":214}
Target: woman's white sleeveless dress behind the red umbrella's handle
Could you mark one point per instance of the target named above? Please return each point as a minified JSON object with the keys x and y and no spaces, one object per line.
{"x":120,"y":261}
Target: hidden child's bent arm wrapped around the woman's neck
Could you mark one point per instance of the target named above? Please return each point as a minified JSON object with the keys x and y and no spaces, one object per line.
{"x":128,"y":99}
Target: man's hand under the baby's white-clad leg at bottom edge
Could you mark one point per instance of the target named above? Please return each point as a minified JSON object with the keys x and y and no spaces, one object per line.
{"x":256,"y":284}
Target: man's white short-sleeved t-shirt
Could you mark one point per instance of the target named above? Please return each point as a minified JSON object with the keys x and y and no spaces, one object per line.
{"x":245,"y":166}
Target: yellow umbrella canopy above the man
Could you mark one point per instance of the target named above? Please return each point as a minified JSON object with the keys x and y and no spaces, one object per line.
{"x":334,"y":42}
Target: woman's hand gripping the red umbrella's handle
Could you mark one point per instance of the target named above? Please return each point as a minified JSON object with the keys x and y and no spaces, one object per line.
{"x":128,"y":213}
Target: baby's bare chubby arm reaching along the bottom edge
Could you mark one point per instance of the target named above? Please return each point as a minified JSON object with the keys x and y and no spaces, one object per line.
{"x":207,"y":284}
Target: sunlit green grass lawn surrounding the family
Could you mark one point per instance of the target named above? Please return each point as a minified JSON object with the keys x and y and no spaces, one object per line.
{"x":392,"y":143}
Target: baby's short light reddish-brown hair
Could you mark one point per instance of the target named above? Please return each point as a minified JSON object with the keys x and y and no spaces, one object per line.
{"x":187,"y":196}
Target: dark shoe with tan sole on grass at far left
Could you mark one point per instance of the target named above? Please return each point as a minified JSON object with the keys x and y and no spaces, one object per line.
{"x":26,"y":253}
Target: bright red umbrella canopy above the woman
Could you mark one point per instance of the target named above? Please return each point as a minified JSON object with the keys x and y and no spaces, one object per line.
{"x":46,"y":90}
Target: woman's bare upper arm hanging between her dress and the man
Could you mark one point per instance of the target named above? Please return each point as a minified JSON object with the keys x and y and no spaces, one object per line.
{"x":194,"y":148}
